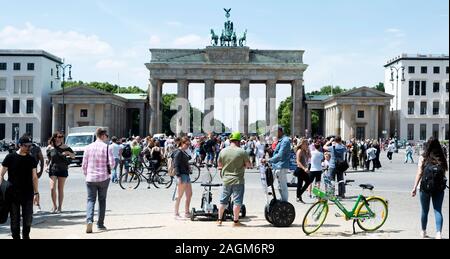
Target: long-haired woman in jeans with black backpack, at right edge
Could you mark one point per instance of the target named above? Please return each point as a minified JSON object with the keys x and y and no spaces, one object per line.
{"x":431,"y":175}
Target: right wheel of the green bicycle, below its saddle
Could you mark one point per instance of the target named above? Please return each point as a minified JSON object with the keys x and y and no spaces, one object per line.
{"x":372,"y":222}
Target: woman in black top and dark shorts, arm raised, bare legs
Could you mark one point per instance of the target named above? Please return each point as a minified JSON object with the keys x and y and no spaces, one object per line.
{"x":58,"y":161}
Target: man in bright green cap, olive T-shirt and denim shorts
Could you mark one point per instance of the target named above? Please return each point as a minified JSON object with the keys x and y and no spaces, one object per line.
{"x":232,"y":162}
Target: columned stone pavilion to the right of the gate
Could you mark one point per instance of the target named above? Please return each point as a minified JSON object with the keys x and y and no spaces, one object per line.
{"x":362,"y":113}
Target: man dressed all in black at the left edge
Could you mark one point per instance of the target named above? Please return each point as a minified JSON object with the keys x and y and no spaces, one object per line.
{"x":22,"y":174}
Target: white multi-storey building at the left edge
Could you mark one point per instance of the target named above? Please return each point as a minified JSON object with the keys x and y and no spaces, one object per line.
{"x":26,"y":79}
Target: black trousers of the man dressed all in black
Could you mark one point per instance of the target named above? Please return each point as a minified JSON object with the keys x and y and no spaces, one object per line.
{"x":26,"y":205}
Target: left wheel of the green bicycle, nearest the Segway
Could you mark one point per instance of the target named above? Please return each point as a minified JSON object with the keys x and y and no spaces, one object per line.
{"x":315,"y":217}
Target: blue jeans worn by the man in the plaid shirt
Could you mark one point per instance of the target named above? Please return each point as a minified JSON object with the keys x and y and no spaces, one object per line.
{"x":99,"y":189}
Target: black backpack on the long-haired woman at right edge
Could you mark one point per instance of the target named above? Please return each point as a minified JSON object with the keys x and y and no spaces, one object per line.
{"x":433,"y":179}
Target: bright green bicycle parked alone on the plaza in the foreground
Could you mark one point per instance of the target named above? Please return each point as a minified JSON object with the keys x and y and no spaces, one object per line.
{"x":369,"y":213}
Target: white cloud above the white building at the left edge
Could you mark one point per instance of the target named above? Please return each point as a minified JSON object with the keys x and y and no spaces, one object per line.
{"x":68,"y":44}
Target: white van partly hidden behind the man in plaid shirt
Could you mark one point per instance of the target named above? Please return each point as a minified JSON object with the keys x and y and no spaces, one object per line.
{"x":78,"y":139}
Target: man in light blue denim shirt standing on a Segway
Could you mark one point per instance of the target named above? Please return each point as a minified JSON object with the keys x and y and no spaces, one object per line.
{"x":280,"y":162}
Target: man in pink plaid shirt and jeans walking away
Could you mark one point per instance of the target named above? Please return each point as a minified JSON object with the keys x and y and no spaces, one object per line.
{"x":97,"y":163}
